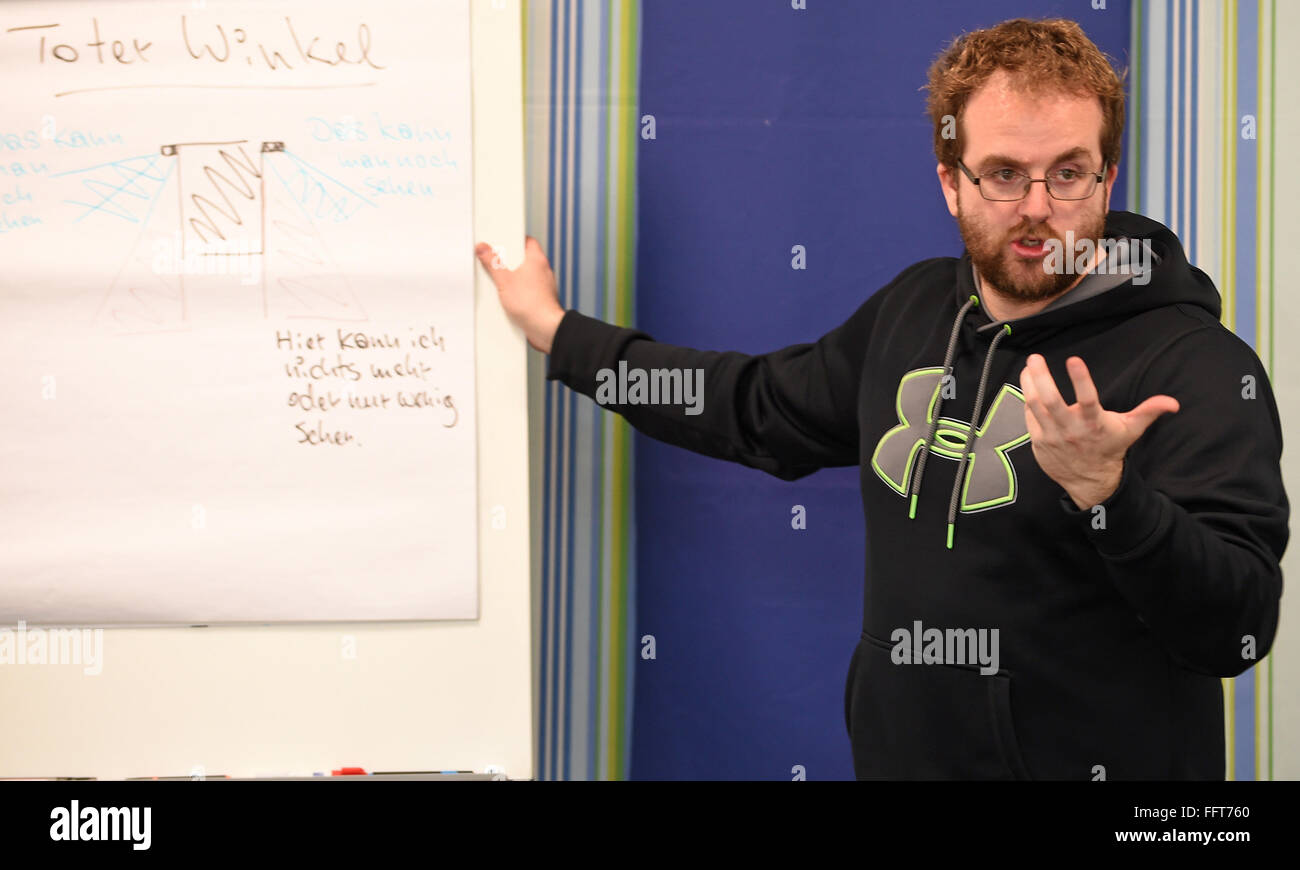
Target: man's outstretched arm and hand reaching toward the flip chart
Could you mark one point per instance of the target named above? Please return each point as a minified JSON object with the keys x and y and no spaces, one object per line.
{"x":788,"y":413}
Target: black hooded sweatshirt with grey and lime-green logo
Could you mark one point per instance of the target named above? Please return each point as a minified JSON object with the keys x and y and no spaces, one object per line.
{"x":1113,"y":626}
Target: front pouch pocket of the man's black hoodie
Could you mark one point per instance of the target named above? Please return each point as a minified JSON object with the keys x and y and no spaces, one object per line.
{"x":929,"y":721}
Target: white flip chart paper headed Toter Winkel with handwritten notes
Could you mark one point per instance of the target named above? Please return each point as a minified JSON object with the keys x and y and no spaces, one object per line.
{"x":236,"y":313}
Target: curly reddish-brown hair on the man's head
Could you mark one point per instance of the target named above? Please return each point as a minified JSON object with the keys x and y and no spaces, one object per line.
{"x":1048,"y":54}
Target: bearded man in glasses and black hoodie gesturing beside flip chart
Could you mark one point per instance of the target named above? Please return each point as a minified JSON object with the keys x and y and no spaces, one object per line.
{"x":1071,"y":470}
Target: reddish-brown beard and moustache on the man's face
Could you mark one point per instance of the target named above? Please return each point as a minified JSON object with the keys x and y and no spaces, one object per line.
{"x":1013,"y":276}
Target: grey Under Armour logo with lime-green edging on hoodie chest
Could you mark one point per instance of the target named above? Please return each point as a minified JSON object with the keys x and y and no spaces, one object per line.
{"x":990,"y":474}
